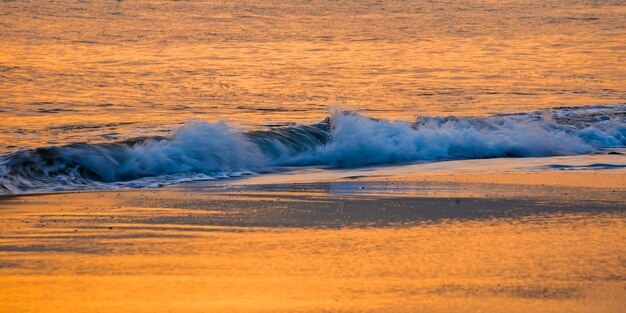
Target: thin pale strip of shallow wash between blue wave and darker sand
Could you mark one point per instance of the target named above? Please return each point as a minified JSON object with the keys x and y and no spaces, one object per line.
{"x":603,"y":171}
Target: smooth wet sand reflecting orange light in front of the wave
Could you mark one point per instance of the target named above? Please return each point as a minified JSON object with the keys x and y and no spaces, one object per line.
{"x":344,"y":245}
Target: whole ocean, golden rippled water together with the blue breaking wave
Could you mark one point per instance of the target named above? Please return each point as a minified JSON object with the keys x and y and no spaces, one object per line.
{"x":119,"y":94}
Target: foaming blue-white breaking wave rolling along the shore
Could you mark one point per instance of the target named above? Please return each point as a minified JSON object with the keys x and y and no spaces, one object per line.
{"x":200,"y":150}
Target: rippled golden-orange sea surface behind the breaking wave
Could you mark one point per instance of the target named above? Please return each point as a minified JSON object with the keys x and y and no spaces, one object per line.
{"x":76,"y":71}
